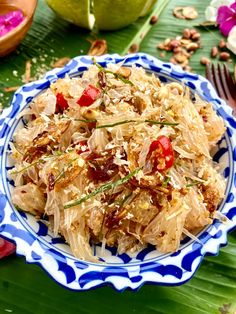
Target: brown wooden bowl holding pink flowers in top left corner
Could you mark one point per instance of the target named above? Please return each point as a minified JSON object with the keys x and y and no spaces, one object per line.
{"x":12,"y":39}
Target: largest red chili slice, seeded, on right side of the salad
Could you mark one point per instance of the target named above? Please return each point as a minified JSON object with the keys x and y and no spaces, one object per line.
{"x":161,"y":153}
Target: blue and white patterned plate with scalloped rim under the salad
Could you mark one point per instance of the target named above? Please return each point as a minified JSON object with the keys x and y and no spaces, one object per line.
{"x":37,"y":244}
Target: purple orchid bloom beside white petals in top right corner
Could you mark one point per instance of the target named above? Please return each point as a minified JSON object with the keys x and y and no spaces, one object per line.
{"x":226,"y":18}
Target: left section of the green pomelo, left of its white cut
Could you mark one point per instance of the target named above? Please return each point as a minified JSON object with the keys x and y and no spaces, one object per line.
{"x":74,"y":11}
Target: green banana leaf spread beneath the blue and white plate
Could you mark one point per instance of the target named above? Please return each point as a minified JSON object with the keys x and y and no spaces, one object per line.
{"x":26,"y":288}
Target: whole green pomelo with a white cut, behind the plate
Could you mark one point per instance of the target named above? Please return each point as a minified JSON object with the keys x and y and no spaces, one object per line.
{"x":107,"y":14}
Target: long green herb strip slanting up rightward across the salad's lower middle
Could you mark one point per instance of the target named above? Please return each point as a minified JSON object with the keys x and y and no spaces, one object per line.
{"x":103,"y":188}
